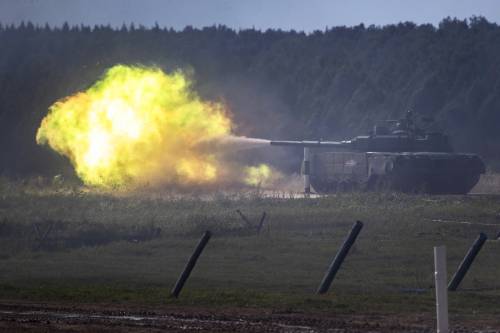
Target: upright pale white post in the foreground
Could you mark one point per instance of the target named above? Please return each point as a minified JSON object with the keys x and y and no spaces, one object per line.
{"x":441,"y":291}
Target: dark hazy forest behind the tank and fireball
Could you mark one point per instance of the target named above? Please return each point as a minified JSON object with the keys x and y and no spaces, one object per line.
{"x":329,"y":84}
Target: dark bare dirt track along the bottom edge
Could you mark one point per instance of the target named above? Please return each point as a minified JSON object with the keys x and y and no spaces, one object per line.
{"x":35,"y":317}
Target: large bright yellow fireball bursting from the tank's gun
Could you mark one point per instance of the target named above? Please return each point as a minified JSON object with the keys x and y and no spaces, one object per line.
{"x":134,"y":125}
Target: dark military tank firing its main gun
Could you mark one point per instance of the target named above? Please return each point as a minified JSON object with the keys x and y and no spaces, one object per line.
{"x":398,"y":155}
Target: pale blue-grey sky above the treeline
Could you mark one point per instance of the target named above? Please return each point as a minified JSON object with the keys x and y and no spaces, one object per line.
{"x":305,"y":15}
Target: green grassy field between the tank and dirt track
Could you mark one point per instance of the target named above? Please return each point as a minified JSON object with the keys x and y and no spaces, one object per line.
{"x":130,"y":248}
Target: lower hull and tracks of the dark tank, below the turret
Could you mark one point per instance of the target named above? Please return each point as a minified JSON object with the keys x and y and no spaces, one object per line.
{"x":411,"y":172}
